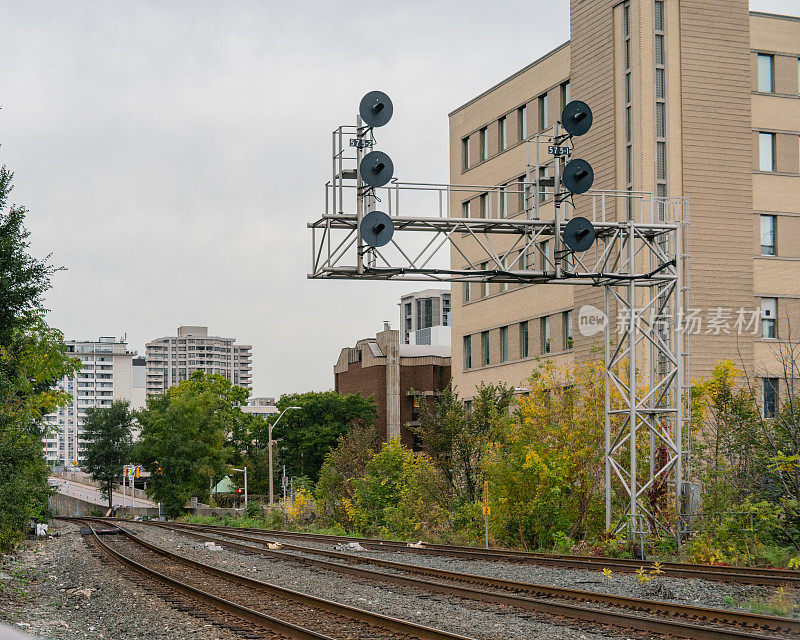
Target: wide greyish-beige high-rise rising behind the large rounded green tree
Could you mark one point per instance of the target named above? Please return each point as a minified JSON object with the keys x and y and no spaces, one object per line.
{"x":172,"y":359}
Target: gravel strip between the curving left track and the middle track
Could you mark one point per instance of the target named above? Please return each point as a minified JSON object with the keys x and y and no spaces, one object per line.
{"x":469,"y":618}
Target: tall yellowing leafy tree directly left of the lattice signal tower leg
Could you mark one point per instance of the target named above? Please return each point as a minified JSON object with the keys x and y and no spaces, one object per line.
{"x":545,"y":467}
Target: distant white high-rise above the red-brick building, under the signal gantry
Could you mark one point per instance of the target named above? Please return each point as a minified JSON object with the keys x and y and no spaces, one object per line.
{"x":425,"y":317}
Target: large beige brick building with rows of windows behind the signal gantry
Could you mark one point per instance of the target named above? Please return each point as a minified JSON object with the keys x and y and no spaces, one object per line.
{"x":696,"y":98}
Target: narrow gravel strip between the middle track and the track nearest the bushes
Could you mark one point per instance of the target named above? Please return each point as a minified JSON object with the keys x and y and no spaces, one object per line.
{"x":704,"y":593}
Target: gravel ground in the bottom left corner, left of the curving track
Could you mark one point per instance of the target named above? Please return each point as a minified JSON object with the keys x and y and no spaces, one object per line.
{"x":57,"y":590}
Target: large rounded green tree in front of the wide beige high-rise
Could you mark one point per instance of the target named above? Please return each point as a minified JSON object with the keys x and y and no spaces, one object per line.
{"x":184,"y":433}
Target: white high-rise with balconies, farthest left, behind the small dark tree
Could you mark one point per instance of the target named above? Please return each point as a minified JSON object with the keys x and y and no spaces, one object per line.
{"x":106,"y":374}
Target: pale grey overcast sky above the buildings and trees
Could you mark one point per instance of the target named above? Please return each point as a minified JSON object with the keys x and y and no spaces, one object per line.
{"x":171,"y":153}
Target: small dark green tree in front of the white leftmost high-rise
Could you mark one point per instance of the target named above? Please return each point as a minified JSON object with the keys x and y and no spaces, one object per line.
{"x":107,"y":434}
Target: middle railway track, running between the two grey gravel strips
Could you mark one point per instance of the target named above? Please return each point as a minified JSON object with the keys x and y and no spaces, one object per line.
{"x":681,"y":620}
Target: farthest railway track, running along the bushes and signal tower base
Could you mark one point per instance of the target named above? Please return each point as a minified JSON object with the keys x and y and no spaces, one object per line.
{"x":739,"y":575}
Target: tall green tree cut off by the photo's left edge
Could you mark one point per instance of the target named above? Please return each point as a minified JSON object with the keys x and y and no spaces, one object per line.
{"x":32,"y":361}
